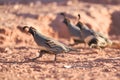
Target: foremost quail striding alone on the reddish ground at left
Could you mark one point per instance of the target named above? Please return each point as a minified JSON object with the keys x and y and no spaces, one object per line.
{"x":47,"y":45}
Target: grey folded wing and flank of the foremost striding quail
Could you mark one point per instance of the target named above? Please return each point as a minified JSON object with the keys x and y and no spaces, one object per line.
{"x":50,"y":44}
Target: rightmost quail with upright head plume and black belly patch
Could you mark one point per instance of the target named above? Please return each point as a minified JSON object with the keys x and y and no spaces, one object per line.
{"x":92,"y":38}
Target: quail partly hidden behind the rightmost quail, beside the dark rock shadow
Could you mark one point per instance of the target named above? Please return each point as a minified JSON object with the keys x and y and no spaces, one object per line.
{"x":73,"y":30}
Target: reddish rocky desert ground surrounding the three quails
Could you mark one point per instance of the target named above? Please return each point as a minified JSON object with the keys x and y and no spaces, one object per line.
{"x":18,"y":47}
